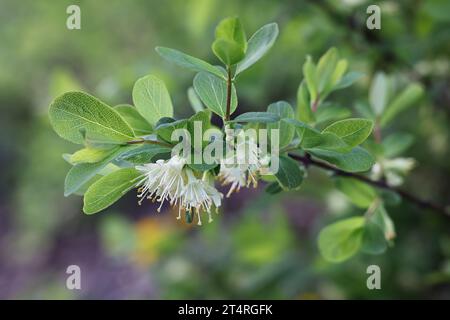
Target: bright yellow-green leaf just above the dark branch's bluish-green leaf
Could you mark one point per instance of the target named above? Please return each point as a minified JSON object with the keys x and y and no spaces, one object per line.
{"x":352,"y":131}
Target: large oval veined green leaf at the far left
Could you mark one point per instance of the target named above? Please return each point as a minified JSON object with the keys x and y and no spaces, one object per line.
{"x":74,"y":112}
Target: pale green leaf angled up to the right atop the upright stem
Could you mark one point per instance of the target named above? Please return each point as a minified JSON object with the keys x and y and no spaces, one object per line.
{"x":258,"y":45}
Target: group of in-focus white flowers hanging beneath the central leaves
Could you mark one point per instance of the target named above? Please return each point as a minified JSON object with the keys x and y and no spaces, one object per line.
{"x":174,"y":182}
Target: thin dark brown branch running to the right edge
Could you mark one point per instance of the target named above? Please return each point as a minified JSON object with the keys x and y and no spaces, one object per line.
{"x":307,"y":161}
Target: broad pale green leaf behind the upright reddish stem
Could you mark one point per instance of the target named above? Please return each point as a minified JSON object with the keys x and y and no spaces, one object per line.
{"x":213,"y":93}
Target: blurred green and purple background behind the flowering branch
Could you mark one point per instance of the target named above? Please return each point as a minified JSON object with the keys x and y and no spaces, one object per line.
{"x":260,"y":246}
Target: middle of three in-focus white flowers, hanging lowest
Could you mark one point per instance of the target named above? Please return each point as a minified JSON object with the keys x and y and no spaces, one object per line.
{"x":199,"y":196}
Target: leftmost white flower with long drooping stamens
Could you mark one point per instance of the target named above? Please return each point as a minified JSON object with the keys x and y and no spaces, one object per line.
{"x":162,"y":181}
